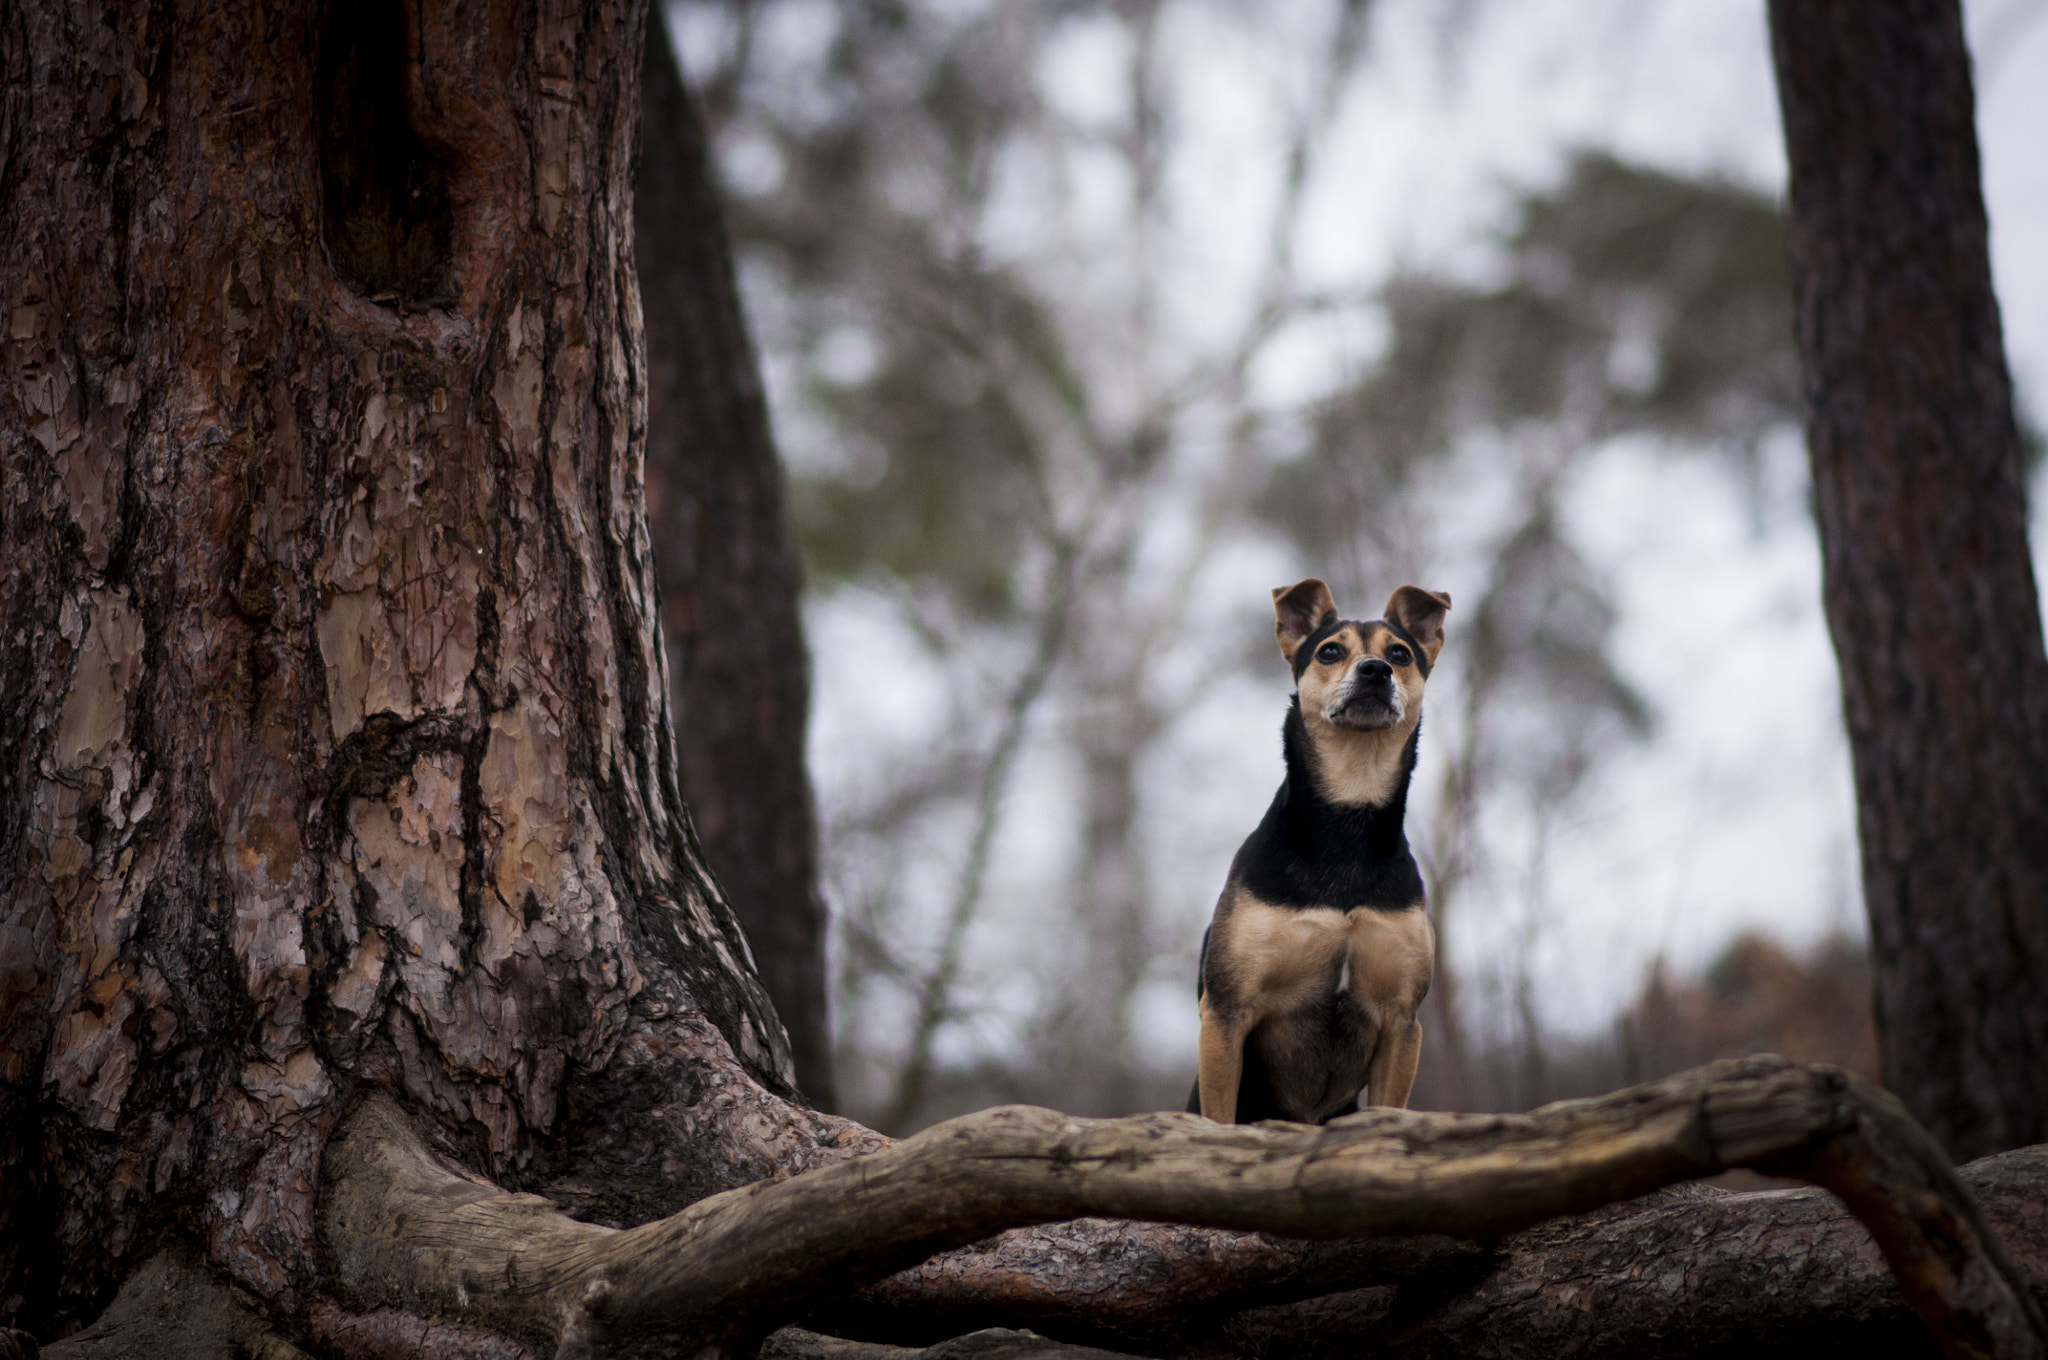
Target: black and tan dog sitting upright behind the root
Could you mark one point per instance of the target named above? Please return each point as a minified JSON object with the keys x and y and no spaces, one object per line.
{"x":1320,"y":951}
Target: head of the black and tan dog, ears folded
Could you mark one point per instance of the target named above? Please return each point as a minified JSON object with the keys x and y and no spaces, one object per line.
{"x":1359,"y":677}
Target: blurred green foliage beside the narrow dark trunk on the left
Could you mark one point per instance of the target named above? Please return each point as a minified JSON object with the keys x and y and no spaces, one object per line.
{"x":884,"y":151}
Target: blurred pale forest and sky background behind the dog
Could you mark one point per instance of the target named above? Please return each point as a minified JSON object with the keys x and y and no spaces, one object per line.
{"x":1089,"y":323}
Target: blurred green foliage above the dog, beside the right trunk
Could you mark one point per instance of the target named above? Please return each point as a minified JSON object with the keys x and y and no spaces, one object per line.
{"x":1635,"y":302}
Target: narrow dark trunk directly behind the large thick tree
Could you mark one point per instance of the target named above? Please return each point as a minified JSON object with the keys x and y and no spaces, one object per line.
{"x":728,"y":570}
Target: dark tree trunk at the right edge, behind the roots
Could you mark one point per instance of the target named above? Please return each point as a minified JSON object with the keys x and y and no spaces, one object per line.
{"x":1928,"y":583}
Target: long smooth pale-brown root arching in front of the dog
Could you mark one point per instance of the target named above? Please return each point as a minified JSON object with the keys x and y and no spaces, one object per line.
{"x":409,"y":1232}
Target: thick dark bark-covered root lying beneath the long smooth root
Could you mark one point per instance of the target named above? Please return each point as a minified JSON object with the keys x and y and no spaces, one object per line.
{"x":1693,"y":1271}
